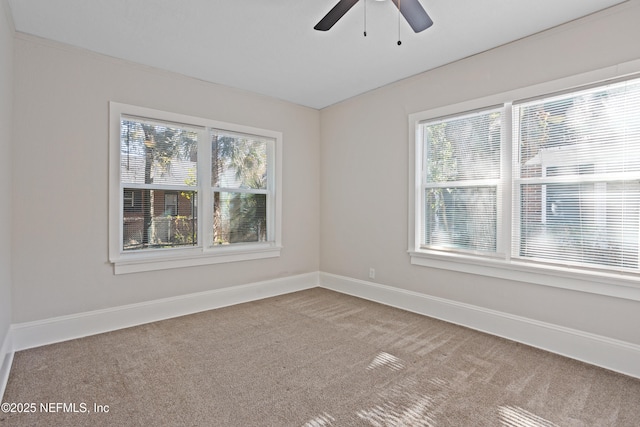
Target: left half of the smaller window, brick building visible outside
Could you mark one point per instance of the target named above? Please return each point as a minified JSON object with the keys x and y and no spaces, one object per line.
{"x":158,"y":175}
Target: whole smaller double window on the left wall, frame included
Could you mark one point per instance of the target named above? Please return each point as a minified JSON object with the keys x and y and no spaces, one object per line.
{"x":190,"y":191}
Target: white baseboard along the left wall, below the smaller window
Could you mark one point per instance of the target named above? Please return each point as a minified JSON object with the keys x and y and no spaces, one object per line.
{"x":48,"y":331}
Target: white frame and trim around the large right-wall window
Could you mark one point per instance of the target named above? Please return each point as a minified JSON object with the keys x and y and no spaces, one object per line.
{"x":502,"y":266}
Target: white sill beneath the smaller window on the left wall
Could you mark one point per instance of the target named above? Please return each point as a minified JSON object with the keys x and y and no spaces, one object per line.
{"x":177,"y":258}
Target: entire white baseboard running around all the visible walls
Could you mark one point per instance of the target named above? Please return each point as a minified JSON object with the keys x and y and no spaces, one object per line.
{"x":597,"y":350}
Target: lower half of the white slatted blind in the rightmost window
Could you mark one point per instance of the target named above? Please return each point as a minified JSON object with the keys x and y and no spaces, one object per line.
{"x":587,"y":224}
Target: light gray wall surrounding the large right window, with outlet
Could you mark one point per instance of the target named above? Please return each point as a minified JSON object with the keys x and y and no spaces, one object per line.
{"x":364,"y":170}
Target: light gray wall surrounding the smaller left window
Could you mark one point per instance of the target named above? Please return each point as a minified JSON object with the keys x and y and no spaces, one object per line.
{"x":60,"y":249}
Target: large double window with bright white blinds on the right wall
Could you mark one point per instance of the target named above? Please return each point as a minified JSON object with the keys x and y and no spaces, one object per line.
{"x":550,"y":183}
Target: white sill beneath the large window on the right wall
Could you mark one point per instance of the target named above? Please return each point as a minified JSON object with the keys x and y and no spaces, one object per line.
{"x":626,"y":286}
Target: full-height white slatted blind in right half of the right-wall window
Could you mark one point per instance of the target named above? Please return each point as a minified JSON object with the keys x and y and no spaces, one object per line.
{"x":579,"y":174}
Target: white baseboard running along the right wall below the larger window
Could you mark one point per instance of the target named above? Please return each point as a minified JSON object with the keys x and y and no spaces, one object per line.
{"x":615,"y":355}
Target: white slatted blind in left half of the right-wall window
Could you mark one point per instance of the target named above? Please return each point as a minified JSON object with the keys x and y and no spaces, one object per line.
{"x":462,"y":158}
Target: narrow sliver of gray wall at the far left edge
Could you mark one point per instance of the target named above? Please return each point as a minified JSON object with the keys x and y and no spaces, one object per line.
{"x":6,"y":126}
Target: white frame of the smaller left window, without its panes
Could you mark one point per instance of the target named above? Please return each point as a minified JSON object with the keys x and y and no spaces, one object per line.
{"x":203,"y":253}
